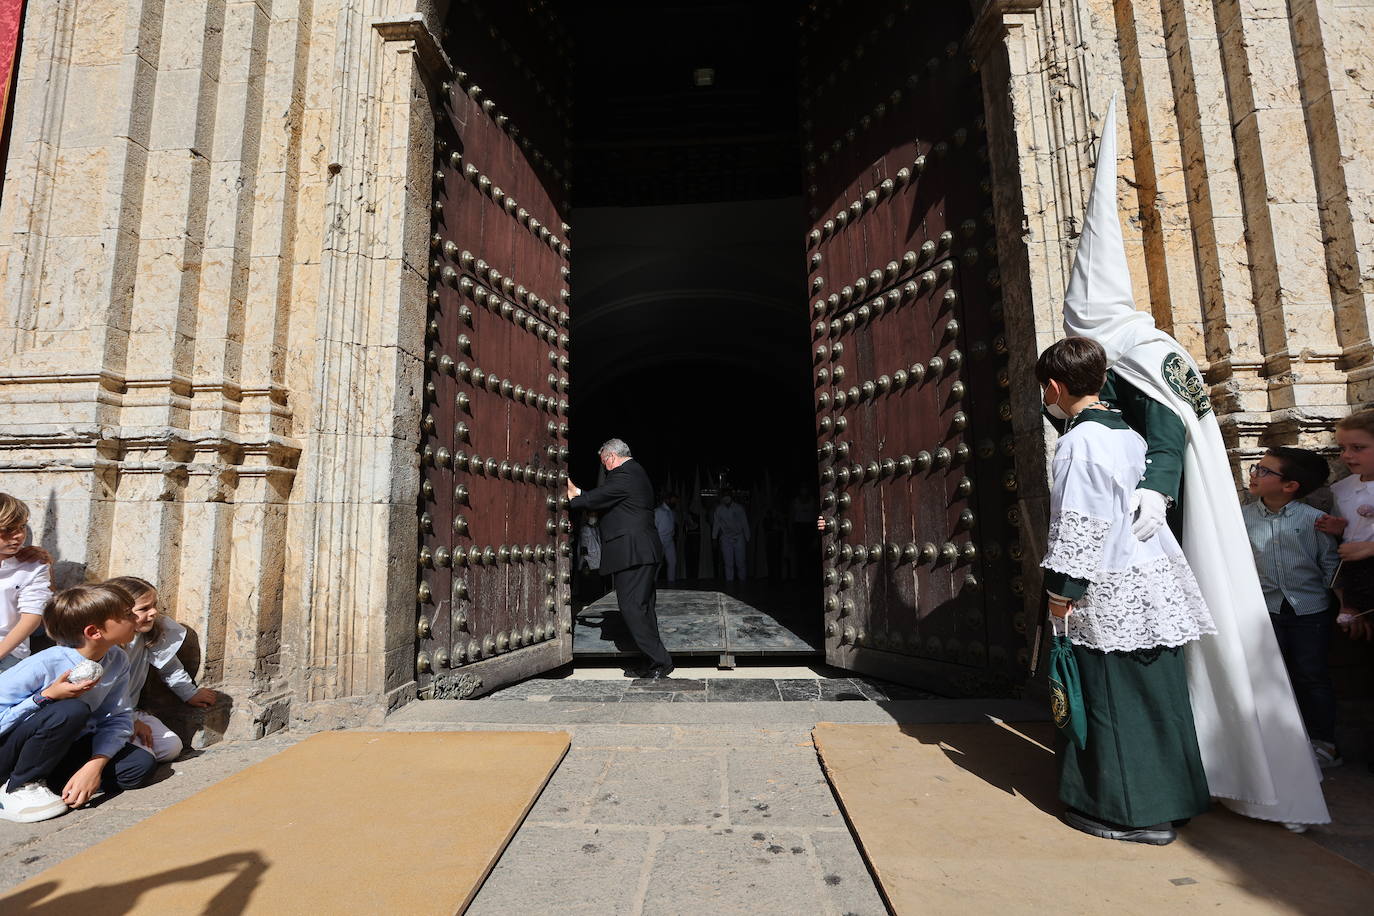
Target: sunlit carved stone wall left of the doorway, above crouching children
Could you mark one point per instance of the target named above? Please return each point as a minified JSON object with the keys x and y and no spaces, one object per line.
{"x":212,"y":245}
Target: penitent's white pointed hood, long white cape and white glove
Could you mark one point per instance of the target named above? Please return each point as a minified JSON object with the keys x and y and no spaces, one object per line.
{"x":1254,"y":745}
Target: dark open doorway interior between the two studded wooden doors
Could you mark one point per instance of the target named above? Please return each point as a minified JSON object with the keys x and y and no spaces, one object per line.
{"x":690,"y":318}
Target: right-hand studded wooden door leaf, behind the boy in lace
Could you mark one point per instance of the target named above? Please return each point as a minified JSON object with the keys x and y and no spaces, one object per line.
{"x":909,"y":352}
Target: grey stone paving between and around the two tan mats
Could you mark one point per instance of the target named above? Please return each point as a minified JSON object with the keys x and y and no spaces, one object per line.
{"x":663,"y":807}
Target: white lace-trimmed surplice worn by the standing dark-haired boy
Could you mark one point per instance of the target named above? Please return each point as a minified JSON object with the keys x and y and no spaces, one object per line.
{"x":1142,"y":594}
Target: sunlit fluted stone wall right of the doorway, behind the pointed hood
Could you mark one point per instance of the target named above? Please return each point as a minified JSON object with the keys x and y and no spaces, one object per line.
{"x":1246,"y":194}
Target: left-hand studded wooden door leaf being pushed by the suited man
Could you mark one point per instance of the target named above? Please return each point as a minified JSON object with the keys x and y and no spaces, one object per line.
{"x":495,"y":558}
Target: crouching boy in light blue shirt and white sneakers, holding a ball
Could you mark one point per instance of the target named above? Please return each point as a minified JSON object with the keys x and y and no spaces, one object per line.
{"x":60,"y":734}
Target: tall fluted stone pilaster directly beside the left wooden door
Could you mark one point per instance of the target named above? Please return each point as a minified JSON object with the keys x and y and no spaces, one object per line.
{"x":354,"y":535}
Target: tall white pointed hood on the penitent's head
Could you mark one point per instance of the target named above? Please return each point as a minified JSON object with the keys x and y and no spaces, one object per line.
{"x":1100,"y":303}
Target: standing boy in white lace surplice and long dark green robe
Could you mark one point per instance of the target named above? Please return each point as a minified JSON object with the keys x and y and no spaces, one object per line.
{"x":1129,"y":606}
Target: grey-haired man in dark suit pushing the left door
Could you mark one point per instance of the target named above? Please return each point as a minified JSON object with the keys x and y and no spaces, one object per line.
{"x":631,"y":550}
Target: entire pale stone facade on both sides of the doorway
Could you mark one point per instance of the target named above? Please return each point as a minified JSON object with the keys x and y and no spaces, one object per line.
{"x":214,"y":262}
